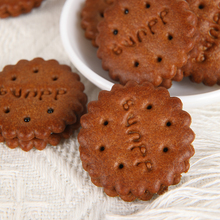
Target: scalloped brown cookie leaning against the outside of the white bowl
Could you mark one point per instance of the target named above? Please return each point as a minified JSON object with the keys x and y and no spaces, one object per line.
{"x":135,"y":141}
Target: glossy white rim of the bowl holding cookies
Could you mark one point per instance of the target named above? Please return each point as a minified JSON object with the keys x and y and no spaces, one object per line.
{"x":189,"y":101}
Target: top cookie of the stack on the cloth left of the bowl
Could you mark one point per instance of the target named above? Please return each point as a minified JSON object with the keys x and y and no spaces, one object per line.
{"x":39,"y":98}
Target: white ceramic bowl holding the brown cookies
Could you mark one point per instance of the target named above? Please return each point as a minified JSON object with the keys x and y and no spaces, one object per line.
{"x":83,"y":56}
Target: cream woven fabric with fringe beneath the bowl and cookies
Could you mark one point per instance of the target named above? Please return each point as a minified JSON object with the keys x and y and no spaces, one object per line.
{"x":51,"y":184}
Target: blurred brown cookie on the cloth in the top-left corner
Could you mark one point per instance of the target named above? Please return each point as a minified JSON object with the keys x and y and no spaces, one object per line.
{"x":16,"y":7}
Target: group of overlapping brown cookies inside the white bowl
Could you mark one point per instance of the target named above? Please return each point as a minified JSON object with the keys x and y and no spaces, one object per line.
{"x":156,"y":41}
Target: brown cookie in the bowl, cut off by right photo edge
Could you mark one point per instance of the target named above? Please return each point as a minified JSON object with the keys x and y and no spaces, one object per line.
{"x":203,"y":61}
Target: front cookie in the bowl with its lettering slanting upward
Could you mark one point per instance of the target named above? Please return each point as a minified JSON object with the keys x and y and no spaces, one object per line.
{"x":145,"y":40}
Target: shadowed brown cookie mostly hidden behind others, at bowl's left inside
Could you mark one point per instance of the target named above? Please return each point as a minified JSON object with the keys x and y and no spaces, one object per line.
{"x":92,"y":14}
